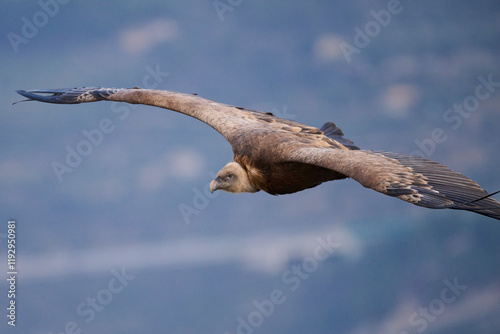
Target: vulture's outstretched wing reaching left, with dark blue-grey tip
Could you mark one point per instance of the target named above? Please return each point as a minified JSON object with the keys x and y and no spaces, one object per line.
{"x":226,"y":119}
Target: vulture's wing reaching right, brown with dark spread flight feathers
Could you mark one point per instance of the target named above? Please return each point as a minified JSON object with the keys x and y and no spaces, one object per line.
{"x":414,"y":179}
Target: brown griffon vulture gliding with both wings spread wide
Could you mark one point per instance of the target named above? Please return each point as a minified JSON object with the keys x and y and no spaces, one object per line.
{"x":281,"y":156}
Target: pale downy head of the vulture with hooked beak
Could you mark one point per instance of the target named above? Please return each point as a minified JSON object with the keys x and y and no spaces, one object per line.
{"x":232,"y":178}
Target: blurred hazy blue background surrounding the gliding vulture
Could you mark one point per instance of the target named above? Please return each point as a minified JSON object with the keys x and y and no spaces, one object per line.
{"x":119,"y":209}
